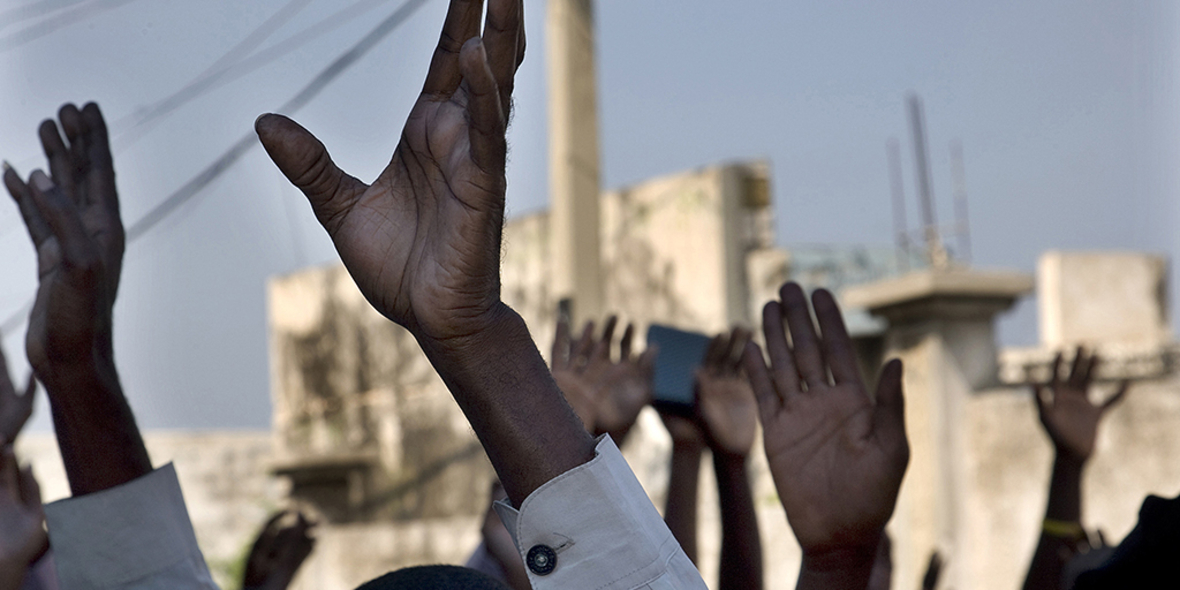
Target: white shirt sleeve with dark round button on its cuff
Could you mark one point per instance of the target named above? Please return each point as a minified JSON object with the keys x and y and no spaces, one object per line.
{"x":595,"y":528}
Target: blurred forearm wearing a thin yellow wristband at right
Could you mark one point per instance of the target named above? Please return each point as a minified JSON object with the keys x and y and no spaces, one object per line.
{"x":1065,"y":507}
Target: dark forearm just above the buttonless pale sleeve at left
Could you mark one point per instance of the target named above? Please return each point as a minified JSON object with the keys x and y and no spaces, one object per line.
{"x":97,"y":435}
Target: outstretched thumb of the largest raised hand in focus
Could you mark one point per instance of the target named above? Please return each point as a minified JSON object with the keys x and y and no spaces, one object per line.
{"x":306,"y":163}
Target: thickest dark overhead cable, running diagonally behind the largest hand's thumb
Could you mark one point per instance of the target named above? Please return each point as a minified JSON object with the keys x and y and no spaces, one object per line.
{"x":213,"y":172}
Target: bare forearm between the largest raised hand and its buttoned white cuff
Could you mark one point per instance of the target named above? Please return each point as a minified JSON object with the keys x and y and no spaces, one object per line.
{"x":506,"y":390}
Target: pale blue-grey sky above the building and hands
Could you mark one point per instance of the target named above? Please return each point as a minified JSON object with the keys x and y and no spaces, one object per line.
{"x":1066,"y":112}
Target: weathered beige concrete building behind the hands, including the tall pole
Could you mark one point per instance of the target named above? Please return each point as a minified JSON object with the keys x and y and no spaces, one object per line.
{"x":366,"y":436}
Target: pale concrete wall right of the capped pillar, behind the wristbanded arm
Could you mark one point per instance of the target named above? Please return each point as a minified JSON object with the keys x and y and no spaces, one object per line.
{"x":1008,"y":464}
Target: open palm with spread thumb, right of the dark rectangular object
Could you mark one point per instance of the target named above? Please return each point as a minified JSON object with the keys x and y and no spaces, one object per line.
{"x":836,"y":454}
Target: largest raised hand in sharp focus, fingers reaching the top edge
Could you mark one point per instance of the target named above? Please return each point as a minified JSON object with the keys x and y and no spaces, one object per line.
{"x":423,"y":242}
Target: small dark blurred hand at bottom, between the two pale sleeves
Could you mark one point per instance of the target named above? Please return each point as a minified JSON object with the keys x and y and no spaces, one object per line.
{"x":279,"y":552}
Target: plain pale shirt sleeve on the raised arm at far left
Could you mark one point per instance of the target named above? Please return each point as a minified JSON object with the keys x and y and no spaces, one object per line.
{"x":136,"y":536}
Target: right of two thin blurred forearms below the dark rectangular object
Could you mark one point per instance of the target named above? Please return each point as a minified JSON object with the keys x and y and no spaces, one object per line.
{"x":742,"y":548}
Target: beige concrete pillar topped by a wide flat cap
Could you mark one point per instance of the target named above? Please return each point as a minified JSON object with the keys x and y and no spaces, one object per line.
{"x":941,"y":325}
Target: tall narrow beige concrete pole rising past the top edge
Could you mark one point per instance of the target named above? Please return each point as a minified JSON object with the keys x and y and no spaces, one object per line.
{"x":574,"y":156}
